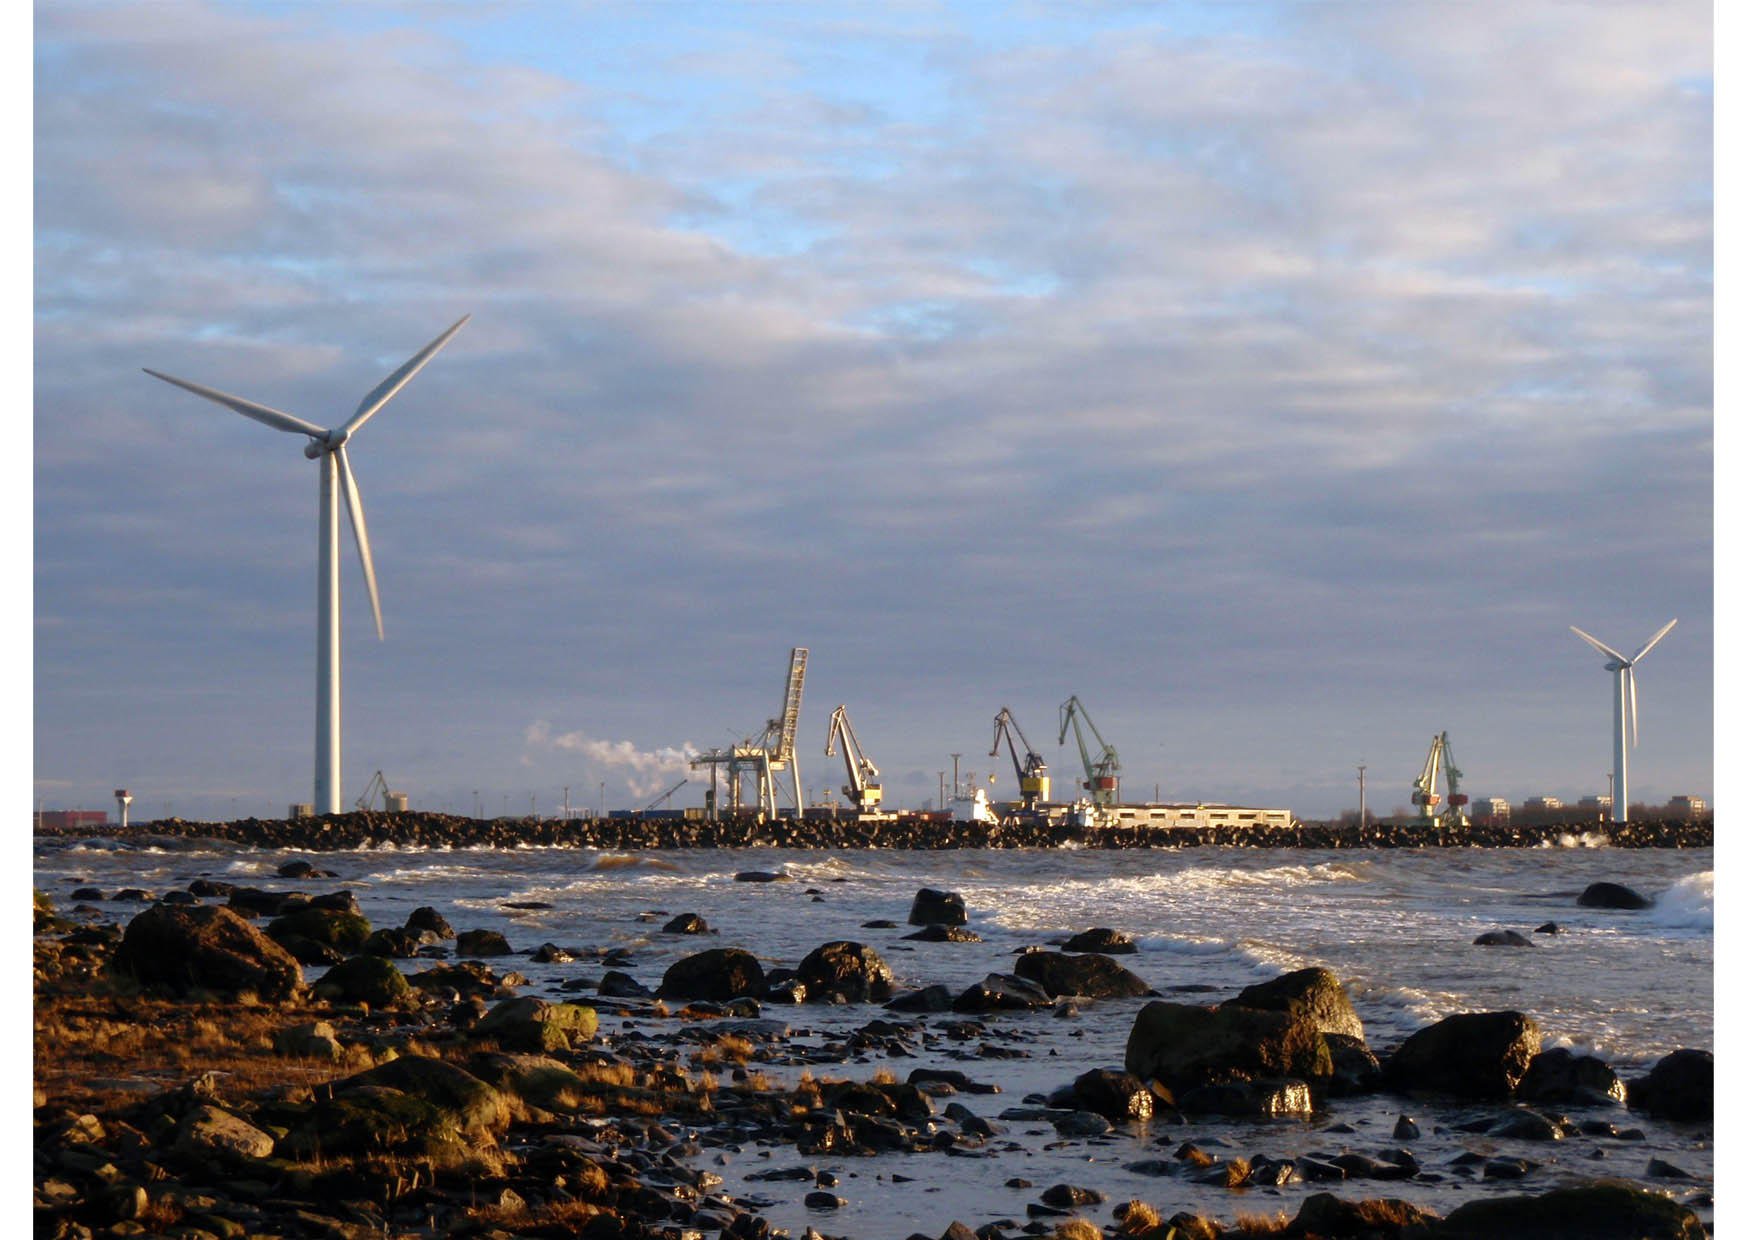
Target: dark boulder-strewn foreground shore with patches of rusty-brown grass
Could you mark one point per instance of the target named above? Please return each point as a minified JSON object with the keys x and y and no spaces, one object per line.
{"x":193,"y":1080}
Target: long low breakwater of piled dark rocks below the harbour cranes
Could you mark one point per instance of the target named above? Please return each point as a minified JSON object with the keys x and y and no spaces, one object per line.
{"x":365,"y":830}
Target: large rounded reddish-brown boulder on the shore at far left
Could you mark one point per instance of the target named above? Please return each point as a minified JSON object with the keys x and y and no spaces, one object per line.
{"x":181,"y":949}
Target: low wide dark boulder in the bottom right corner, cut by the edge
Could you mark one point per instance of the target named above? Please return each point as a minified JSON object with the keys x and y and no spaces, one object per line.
{"x":1602,"y":1211}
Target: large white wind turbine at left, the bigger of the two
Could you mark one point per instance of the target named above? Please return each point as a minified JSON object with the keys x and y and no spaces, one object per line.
{"x":330,"y":450}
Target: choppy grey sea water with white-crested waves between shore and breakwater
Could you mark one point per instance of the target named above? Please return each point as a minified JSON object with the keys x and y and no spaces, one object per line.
{"x":1397,"y":926}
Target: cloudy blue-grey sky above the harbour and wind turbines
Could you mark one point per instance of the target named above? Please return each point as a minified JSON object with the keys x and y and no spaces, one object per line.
{"x":1282,"y":380}
